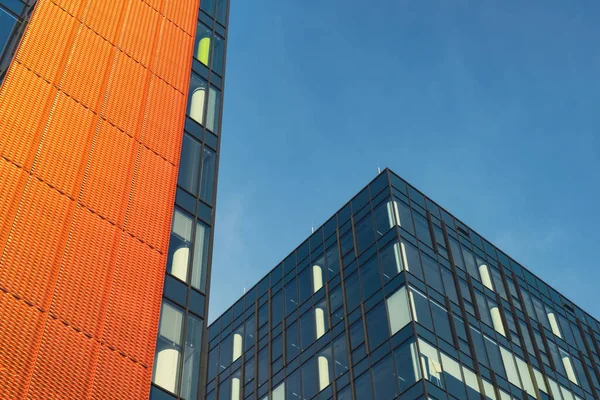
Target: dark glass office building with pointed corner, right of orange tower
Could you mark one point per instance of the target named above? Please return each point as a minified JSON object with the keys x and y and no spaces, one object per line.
{"x":394,"y":297}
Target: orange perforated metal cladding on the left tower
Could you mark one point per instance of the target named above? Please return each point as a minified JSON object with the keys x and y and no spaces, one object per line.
{"x":91,"y":121}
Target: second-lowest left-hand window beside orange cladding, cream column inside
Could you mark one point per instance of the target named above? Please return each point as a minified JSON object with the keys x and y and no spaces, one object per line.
{"x":180,"y":245}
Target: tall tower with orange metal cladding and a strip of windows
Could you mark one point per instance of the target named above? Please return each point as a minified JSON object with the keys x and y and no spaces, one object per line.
{"x":109,"y":135}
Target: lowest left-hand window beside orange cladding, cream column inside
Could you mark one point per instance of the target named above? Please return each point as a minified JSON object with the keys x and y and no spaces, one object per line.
{"x":168,"y":348}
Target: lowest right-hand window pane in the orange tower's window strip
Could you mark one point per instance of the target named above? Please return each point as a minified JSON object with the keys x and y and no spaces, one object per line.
{"x":191,"y":359}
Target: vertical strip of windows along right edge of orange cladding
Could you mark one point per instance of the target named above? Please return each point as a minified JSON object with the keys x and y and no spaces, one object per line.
{"x":180,"y":354}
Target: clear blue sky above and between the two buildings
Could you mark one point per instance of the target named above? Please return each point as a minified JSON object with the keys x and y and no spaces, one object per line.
{"x":489,"y":107}
